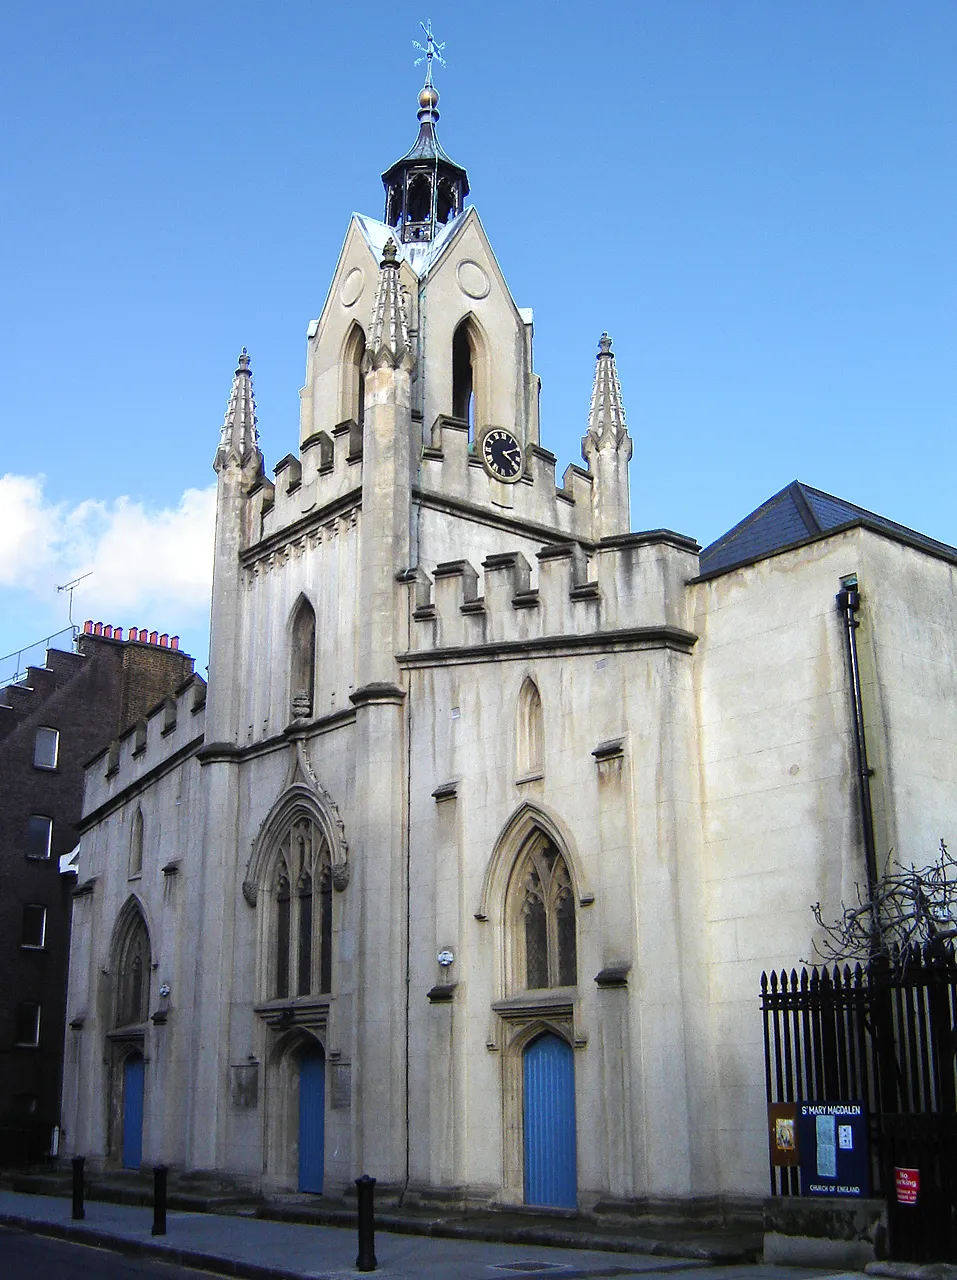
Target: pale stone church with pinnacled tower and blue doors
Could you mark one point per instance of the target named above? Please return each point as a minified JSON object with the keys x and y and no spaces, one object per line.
{"x":464,"y":870}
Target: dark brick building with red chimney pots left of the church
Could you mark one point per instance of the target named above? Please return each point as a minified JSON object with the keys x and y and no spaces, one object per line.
{"x":51,"y":724}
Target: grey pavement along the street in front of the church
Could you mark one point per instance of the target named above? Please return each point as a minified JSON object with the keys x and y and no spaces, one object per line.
{"x":259,"y":1250}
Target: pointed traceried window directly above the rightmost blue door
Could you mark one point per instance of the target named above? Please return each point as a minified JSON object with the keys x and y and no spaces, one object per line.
{"x":543,"y":920}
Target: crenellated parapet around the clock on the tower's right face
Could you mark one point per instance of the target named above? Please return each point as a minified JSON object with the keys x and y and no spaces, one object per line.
{"x":452,"y":469}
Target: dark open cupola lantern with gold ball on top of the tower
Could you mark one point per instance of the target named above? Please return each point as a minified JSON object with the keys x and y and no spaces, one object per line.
{"x":425,"y":189}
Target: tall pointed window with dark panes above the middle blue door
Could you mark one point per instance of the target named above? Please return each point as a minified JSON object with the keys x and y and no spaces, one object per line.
{"x":301,"y":934}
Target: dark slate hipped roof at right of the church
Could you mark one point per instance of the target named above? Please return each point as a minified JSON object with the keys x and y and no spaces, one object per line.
{"x":796,"y":515}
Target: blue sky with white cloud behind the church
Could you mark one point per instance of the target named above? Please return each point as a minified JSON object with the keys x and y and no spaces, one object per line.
{"x":757,"y":199}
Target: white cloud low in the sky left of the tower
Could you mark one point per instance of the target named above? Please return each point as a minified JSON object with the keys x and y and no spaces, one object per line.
{"x":149,"y":568}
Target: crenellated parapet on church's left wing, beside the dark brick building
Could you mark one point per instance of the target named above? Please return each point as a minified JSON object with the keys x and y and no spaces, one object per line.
{"x":171,"y":725}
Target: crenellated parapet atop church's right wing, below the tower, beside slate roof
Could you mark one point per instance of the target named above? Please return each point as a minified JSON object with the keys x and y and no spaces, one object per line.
{"x":635,"y":582}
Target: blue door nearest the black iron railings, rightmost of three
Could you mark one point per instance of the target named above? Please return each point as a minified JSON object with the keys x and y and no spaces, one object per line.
{"x":551,"y":1174}
